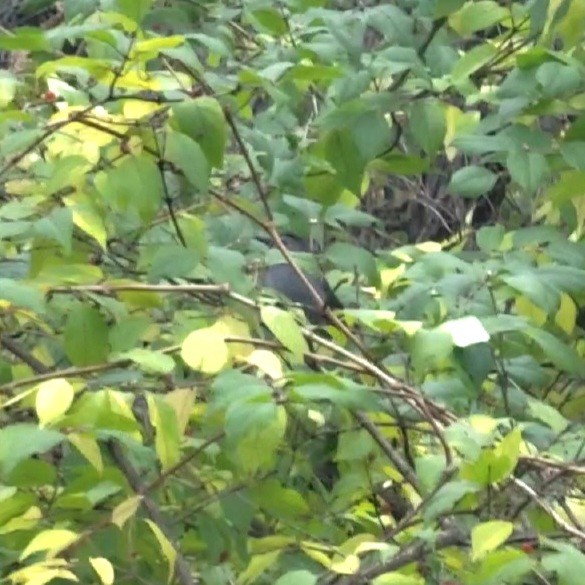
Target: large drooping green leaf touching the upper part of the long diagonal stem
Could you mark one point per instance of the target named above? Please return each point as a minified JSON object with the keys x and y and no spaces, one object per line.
{"x":203,"y":121}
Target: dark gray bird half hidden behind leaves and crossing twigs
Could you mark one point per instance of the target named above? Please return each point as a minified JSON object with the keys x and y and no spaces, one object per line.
{"x":283,"y":279}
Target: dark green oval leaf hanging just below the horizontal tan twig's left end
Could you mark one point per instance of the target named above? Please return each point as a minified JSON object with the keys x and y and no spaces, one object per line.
{"x":86,"y":336}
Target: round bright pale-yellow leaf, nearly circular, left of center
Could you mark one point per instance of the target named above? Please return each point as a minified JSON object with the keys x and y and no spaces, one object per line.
{"x":205,"y":350}
